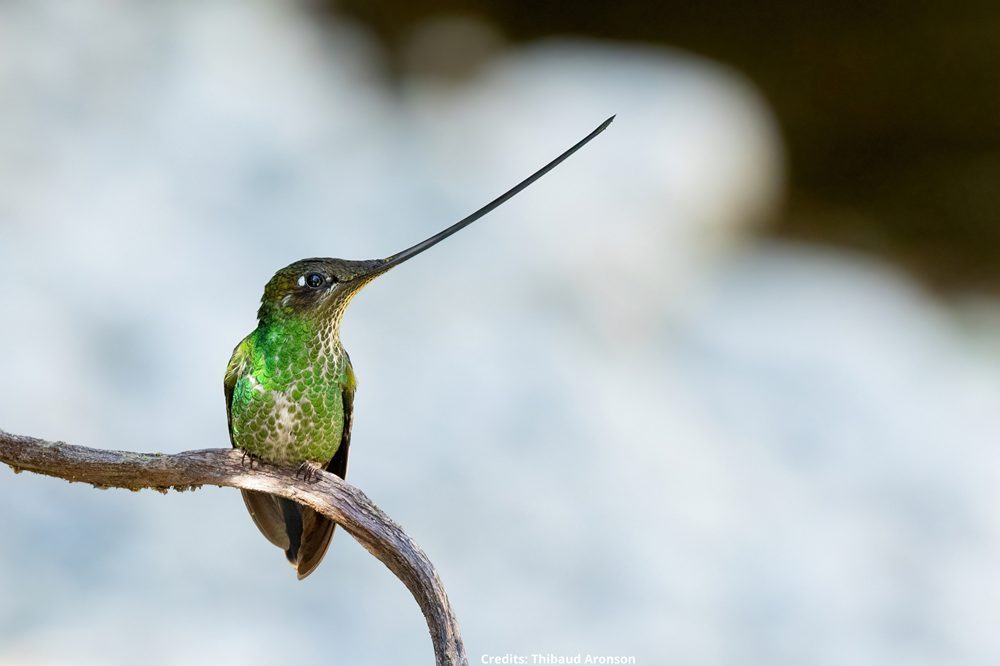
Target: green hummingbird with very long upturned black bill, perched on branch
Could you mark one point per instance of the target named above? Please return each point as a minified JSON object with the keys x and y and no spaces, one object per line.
{"x":290,"y":386}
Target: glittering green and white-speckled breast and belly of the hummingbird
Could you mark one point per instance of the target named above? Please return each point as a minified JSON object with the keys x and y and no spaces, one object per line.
{"x":285,"y":395}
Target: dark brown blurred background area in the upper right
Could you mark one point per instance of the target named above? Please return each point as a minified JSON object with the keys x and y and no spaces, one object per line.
{"x":889,"y":110}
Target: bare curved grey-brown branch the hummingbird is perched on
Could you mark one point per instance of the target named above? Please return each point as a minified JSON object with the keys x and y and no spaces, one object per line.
{"x":330,"y":495}
